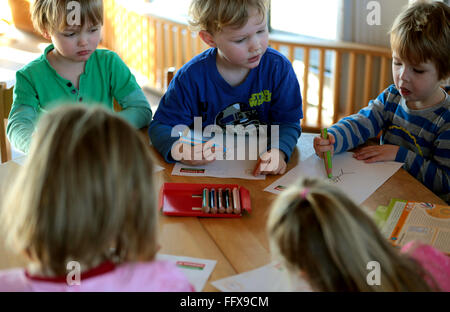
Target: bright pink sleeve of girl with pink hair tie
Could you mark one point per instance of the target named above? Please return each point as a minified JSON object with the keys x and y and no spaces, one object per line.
{"x":436,"y":263}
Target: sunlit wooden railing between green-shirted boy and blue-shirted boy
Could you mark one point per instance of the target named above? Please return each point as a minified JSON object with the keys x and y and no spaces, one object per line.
{"x":148,"y":43}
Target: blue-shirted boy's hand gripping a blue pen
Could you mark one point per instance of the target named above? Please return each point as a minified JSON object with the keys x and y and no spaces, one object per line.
{"x":194,"y":155}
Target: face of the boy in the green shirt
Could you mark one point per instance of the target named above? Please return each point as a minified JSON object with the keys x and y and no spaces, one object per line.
{"x":77,"y":43}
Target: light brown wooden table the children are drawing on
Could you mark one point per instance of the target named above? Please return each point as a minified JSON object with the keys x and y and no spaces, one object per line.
{"x":239,"y":244}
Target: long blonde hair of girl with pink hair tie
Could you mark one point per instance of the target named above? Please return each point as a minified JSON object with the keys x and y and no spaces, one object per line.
{"x":319,"y":231}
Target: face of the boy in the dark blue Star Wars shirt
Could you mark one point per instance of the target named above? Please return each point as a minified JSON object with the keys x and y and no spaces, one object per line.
{"x":243,"y":47}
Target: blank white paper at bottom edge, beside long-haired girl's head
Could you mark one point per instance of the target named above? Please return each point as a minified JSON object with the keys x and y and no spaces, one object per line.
{"x":269,"y":278}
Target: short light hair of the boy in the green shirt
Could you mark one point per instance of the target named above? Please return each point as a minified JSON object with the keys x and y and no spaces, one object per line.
{"x":49,"y":16}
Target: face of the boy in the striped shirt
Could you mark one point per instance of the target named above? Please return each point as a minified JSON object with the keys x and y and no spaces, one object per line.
{"x":416,"y":82}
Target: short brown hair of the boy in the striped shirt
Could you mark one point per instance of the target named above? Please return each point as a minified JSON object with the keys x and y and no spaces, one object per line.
{"x":422,"y":33}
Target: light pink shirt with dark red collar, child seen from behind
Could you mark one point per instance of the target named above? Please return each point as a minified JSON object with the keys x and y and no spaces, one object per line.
{"x":138,"y":276}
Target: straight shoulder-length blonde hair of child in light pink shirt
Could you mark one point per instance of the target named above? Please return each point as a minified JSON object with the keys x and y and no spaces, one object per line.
{"x":86,"y":193}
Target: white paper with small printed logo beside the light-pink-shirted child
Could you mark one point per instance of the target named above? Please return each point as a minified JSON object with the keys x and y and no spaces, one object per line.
{"x":196,"y":270}
